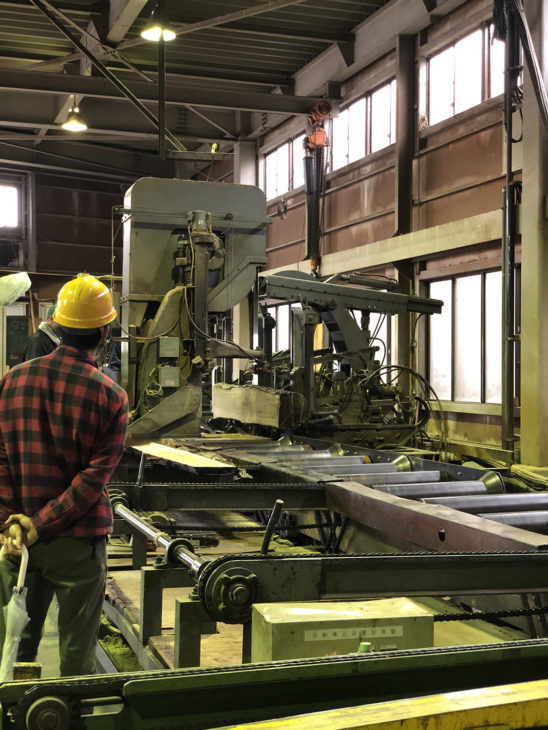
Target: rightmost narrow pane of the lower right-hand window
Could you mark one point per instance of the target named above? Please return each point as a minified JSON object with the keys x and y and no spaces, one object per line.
{"x":493,"y":335}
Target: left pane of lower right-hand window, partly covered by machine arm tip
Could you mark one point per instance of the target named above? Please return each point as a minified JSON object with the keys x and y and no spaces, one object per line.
{"x":440,"y":340}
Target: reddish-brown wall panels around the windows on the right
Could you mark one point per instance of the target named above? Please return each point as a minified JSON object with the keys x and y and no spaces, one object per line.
{"x":457,"y":172}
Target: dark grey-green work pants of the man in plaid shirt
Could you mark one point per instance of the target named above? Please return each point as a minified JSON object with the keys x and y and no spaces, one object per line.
{"x":74,"y":570}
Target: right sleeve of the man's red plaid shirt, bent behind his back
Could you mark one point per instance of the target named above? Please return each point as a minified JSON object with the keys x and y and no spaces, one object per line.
{"x":88,"y":485}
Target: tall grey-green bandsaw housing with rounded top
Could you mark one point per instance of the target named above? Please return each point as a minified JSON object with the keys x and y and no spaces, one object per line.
{"x":191,"y":252}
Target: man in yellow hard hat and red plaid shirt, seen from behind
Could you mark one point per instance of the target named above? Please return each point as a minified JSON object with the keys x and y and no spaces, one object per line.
{"x":62,"y":432}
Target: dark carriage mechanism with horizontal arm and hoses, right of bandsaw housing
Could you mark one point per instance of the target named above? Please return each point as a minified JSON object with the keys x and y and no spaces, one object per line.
{"x":350,"y":394}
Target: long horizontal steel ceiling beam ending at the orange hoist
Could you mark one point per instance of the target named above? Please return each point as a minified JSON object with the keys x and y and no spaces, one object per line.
{"x":36,"y":82}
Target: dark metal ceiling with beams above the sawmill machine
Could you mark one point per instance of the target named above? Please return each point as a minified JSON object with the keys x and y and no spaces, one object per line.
{"x":231,"y":60}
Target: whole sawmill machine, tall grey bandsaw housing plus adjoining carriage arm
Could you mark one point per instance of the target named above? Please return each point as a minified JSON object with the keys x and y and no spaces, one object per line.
{"x":192,"y":252}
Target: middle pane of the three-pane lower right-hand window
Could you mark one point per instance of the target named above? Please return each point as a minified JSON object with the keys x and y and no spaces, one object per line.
{"x":468,"y":338}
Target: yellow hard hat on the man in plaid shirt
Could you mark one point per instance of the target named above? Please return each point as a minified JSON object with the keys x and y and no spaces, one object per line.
{"x":84,"y":303}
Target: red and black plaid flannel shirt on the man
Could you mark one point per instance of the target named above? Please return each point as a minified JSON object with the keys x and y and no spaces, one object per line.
{"x":62,"y":431}
